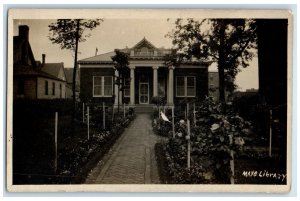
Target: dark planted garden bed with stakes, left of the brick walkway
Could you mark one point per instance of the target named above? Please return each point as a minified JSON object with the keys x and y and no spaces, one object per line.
{"x":33,"y":143}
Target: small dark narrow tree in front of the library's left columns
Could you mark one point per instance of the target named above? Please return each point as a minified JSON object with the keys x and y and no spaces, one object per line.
{"x":121,"y":64}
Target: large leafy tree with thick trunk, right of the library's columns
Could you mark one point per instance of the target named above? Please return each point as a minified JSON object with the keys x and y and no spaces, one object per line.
{"x":228,"y":42}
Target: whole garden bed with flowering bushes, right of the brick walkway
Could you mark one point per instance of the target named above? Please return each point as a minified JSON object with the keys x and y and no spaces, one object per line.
{"x":216,"y":134}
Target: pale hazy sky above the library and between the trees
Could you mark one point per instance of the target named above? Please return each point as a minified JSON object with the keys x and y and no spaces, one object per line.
{"x":116,"y":33}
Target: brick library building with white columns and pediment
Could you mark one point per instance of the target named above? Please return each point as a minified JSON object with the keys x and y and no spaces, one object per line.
{"x":148,"y":77}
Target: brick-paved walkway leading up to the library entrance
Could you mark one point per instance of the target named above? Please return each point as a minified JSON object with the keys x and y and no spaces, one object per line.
{"x":132,"y":159}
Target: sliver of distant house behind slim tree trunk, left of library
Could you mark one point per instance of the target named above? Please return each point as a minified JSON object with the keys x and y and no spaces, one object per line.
{"x":69,"y":77}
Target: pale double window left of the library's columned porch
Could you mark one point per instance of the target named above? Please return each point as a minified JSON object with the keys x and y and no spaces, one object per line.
{"x":102,"y":86}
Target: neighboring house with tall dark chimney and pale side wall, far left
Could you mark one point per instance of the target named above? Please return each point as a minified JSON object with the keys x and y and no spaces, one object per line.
{"x":30,"y":79}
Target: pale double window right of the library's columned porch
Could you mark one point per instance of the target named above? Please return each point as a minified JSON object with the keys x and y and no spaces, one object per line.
{"x":185,"y":86}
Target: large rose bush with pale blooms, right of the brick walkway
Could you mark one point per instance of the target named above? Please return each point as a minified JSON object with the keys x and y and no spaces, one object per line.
{"x":214,"y":137}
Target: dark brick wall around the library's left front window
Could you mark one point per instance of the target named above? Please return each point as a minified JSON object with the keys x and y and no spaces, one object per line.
{"x":86,"y":84}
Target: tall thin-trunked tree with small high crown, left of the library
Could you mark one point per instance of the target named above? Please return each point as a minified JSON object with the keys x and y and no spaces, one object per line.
{"x":68,"y":33}
